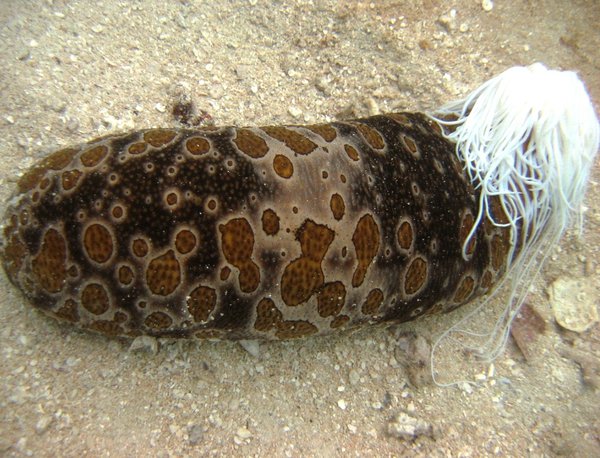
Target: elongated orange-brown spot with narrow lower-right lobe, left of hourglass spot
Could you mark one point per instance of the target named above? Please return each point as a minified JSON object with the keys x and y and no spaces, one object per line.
{"x":237,"y":243}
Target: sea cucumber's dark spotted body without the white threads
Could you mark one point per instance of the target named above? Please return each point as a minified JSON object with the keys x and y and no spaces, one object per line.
{"x":270,"y":233}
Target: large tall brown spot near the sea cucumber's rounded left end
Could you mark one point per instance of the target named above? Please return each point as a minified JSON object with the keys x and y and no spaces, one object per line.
{"x":49,"y":265}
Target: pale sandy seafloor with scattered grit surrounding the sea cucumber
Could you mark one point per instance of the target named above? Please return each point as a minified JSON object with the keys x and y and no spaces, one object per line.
{"x":73,"y":70}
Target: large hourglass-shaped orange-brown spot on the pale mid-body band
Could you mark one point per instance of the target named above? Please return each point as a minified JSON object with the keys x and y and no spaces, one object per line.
{"x":303,"y":276}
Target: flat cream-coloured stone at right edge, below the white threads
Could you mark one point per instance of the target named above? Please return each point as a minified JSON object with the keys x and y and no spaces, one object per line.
{"x":573,"y":302}
